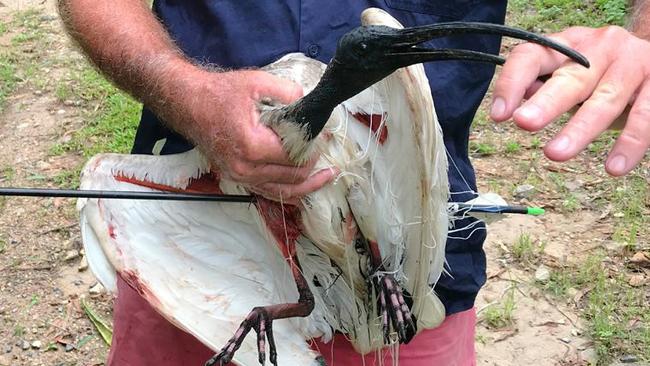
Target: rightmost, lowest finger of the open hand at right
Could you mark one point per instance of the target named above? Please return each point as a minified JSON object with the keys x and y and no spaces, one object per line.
{"x":634,"y":141}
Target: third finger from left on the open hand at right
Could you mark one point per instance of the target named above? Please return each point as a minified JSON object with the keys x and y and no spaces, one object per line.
{"x":597,"y":113}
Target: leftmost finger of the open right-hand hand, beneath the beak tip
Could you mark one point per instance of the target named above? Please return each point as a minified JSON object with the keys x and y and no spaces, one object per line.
{"x":524,"y":65}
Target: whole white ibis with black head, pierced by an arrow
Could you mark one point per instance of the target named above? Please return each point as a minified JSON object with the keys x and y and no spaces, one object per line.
{"x":359,"y":256}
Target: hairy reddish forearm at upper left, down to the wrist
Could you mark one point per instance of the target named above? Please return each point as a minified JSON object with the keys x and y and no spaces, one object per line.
{"x":126,"y":42}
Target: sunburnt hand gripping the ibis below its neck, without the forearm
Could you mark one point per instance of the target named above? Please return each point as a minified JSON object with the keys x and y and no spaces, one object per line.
{"x":223,"y":108}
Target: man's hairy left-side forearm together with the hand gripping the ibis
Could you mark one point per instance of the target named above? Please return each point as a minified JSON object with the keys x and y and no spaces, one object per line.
{"x":216,"y":110}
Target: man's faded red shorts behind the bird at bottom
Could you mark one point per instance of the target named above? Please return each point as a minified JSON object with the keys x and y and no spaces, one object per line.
{"x":142,"y":337}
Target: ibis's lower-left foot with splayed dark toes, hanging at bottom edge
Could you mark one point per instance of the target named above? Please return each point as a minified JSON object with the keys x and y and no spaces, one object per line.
{"x":259,"y":320}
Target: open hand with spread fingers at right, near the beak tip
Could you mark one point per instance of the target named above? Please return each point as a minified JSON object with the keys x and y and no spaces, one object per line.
{"x":619,"y":77}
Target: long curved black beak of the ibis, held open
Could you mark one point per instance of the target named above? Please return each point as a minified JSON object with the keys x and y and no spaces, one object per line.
{"x":404,"y":47}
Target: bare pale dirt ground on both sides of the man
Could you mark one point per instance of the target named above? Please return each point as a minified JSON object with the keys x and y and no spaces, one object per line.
{"x":43,"y":277}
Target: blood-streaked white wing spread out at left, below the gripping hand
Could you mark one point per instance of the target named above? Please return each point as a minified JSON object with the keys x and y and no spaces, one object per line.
{"x":203,"y":266}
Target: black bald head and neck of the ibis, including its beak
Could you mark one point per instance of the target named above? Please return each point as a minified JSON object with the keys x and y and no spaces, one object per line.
{"x":368,"y":54}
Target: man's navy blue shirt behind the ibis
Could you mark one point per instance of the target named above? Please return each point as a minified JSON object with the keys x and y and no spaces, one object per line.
{"x":245,"y":33}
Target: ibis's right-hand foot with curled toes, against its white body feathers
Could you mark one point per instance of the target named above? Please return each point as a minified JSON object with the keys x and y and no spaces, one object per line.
{"x":393,"y":309}
